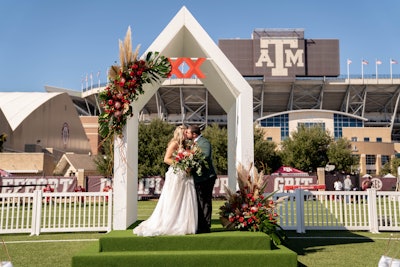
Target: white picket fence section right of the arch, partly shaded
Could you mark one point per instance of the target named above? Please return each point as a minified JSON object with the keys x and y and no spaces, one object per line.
{"x":369,"y":210}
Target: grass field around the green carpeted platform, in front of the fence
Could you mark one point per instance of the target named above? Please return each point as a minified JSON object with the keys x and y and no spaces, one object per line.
{"x":314,"y":248}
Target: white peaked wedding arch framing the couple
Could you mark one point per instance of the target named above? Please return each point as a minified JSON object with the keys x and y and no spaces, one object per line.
{"x":184,"y":37}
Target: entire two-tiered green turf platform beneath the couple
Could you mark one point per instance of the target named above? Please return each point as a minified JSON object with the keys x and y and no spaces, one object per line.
{"x":122,"y":248}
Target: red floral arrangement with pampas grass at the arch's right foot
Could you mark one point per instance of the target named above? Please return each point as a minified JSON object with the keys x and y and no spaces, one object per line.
{"x":249,"y":209}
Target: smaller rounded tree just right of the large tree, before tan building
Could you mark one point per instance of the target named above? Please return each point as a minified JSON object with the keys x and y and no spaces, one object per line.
{"x":339,"y":154}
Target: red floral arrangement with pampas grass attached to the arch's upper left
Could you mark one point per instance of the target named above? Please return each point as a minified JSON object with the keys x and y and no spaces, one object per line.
{"x":126,"y":83}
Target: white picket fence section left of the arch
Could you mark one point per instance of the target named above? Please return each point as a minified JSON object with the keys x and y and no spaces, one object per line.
{"x":55,"y":212}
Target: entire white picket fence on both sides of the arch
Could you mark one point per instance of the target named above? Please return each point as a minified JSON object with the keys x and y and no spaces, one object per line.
{"x":300,"y":210}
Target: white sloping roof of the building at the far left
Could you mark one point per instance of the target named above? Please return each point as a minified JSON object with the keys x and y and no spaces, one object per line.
{"x":17,"y":106}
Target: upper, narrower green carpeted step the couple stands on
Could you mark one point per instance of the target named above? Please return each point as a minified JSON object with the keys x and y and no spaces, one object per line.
{"x":227,"y":240}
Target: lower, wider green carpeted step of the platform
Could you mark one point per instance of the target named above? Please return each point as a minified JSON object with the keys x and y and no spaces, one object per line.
{"x":278,"y":257}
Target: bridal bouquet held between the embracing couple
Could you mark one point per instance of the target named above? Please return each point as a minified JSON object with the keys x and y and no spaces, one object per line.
{"x":189,"y":159}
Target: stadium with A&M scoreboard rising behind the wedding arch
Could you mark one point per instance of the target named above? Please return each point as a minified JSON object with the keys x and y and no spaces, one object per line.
{"x":295,"y":81}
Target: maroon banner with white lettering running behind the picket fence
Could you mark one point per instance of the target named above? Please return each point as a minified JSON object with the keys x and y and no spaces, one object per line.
{"x":151,"y":187}
